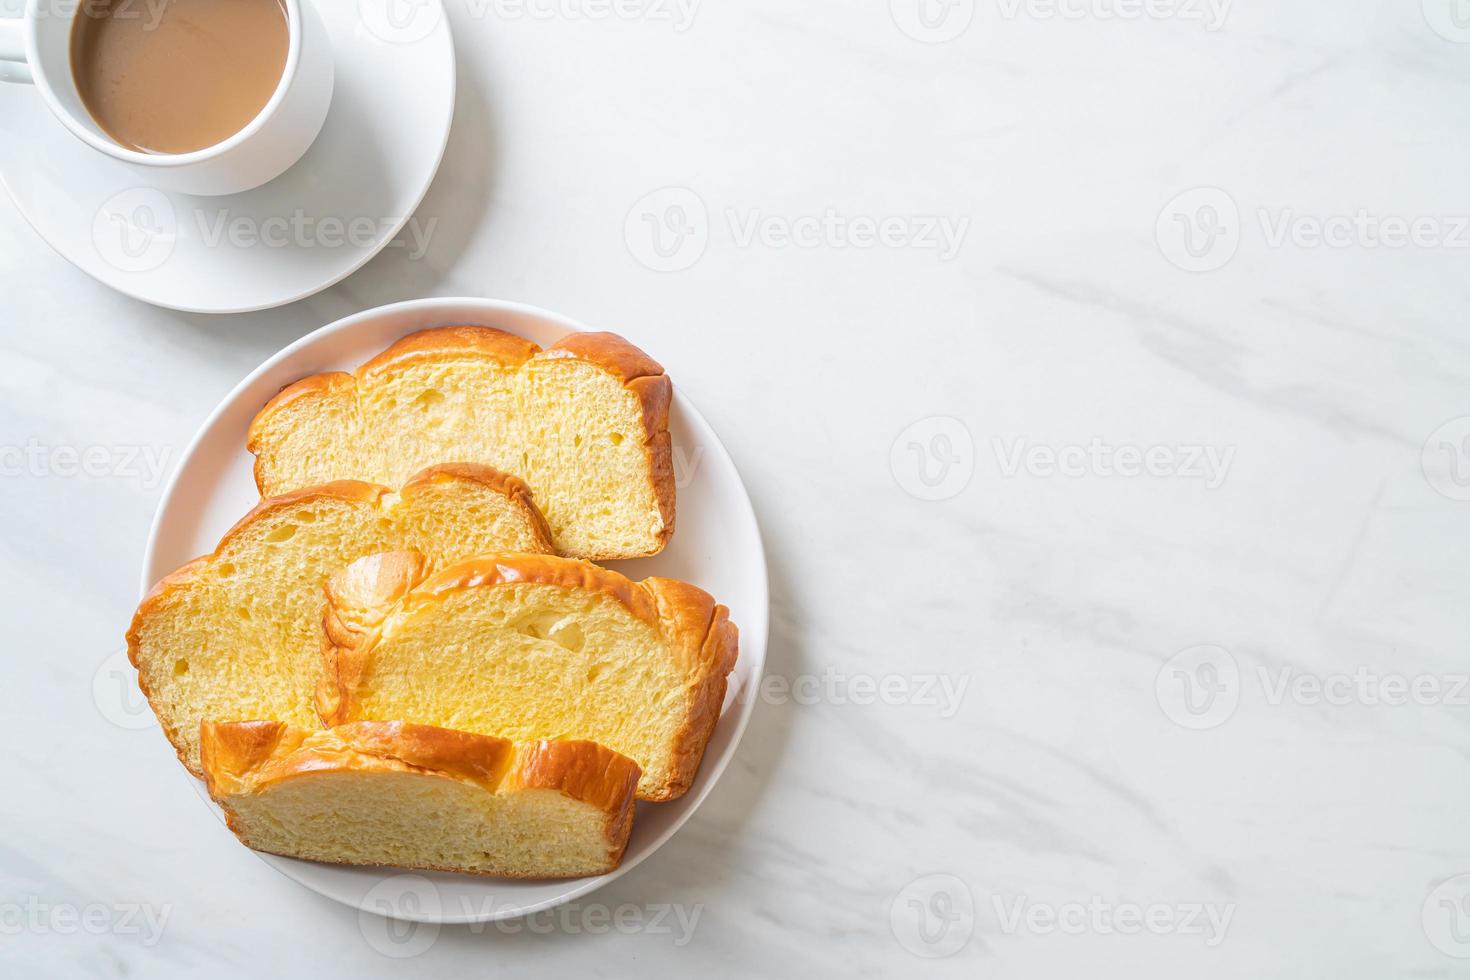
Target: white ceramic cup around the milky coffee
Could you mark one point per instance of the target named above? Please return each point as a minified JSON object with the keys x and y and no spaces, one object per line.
{"x":36,"y":49}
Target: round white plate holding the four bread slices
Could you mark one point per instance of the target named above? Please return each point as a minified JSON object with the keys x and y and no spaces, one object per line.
{"x":715,"y":546}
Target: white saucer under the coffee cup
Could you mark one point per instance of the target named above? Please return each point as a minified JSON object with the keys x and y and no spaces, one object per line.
{"x":296,"y":236}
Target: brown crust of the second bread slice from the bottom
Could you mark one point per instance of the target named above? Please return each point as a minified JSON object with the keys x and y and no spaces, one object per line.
{"x":698,"y":630}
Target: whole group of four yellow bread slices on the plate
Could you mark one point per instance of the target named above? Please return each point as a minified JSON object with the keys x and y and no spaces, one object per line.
{"x":405,"y":653}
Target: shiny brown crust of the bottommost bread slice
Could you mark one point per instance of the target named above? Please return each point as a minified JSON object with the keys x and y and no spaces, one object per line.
{"x":249,"y":757}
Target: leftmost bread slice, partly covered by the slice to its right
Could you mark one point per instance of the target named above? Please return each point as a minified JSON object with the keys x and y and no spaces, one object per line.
{"x":237,"y":634}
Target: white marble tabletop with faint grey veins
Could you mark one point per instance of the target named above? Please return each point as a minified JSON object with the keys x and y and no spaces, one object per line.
{"x":1066,"y":779}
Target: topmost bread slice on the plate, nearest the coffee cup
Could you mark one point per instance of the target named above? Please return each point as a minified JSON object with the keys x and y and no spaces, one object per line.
{"x":584,"y":422}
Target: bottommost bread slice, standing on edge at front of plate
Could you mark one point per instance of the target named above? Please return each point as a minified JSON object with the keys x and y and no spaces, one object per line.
{"x":418,"y":797}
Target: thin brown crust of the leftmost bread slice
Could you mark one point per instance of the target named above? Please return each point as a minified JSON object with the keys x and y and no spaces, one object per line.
{"x":183,"y":577}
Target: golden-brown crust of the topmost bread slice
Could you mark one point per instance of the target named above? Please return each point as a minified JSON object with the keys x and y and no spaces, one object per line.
{"x":640,"y":374}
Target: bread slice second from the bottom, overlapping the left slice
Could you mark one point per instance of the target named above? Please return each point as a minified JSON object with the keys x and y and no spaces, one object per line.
{"x":531,"y":647}
